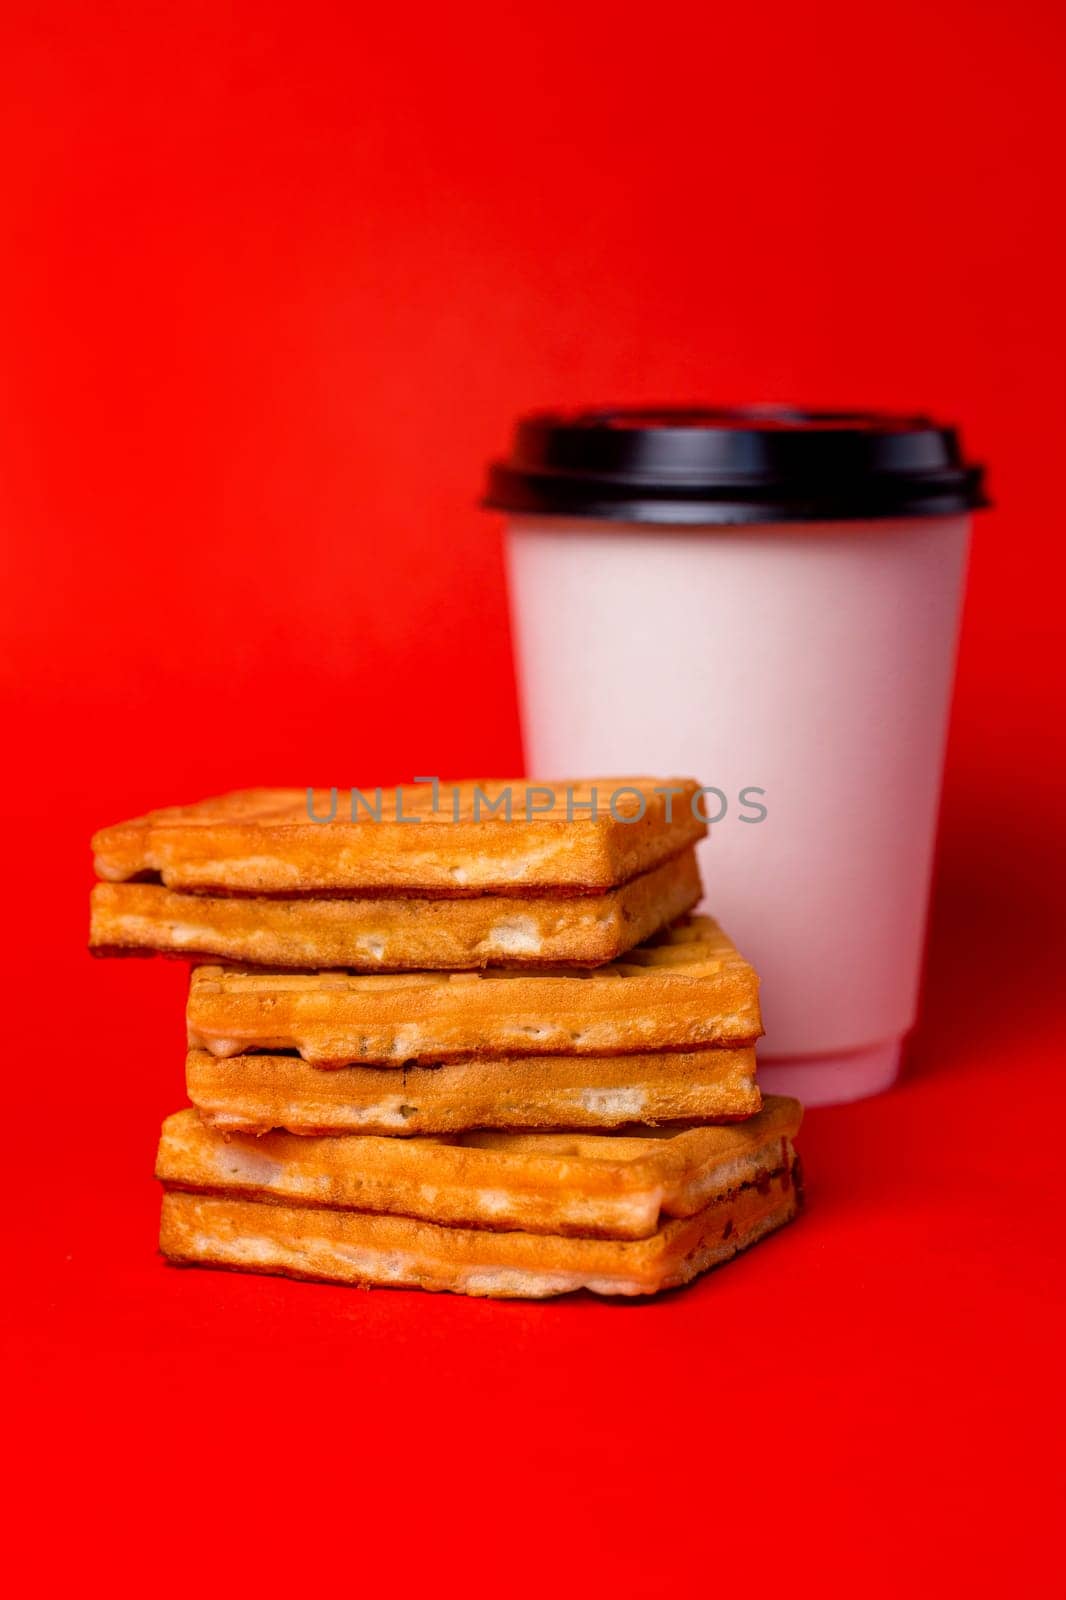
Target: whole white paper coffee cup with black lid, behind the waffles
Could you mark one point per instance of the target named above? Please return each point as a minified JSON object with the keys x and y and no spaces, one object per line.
{"x":769,"y":602}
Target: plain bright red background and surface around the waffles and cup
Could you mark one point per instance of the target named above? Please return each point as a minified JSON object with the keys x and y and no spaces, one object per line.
{"x":276,"y":281}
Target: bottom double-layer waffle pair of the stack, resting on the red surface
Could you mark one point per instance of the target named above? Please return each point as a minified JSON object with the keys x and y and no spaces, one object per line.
{"x":727,"y":1188}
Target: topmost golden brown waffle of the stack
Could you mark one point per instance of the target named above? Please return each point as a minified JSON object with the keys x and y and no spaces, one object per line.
{"x":262,"y":841}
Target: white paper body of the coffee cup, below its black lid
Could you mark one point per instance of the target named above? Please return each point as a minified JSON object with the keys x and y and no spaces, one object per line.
{"x":801,"y":671}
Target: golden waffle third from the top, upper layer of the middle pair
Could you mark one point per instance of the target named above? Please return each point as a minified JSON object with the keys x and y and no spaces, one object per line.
{"x":686,"y":990}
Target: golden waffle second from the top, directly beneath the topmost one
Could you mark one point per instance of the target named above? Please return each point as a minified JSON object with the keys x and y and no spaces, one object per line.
{"x":391,"y":934}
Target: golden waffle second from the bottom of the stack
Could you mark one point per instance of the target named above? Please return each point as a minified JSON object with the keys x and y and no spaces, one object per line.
{"x":595,"y":1186}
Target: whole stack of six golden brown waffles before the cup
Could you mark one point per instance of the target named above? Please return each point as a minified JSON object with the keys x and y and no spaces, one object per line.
{"x":462,"y":1038}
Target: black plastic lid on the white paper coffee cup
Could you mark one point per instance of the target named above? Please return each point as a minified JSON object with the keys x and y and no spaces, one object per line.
{"x":739,"y":465}
